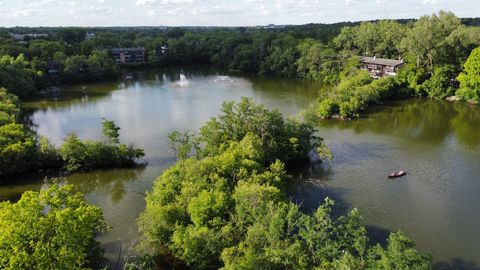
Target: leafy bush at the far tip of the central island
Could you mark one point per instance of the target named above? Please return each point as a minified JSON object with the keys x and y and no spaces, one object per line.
{"x":289,"y":140}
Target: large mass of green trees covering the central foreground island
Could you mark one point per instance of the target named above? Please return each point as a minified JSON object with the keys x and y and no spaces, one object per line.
{"x":227,"y":208}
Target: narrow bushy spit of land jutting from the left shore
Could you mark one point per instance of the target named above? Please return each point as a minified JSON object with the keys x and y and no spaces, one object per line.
{"x":22,"y":151}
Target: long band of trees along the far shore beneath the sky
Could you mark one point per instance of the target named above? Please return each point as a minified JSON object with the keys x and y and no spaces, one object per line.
{"x":434,"y":48}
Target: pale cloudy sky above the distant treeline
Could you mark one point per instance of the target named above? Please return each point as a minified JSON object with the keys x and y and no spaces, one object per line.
{"x":218,"y":13}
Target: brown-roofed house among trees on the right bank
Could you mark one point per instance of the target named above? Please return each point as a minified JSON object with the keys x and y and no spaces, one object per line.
{"x":380,"y":67}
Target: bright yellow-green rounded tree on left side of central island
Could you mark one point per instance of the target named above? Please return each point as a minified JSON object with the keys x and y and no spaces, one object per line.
{"x":188,"y":209}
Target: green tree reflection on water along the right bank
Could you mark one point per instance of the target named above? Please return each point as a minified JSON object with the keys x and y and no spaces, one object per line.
{"x":430,"y":122}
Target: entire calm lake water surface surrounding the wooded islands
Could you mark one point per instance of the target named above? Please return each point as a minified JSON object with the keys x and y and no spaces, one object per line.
{"x":436,"y":204}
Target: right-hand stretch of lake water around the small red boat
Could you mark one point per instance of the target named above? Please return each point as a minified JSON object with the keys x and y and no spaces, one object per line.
{"x":436,"y":203}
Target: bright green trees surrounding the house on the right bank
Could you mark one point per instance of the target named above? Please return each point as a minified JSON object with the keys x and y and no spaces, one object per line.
{"x":434,"y":47}
